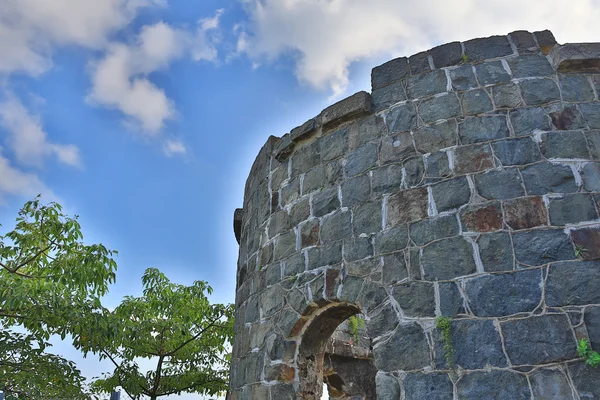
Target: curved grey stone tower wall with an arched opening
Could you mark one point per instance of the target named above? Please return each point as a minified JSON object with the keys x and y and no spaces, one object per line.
{"x":466,"y":185}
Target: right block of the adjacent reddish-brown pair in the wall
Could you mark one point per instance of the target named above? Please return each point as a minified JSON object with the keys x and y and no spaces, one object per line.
{"x":525,"y":212}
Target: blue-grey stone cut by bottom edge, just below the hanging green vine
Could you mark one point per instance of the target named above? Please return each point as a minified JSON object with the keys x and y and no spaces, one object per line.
{"x":434,"y":386}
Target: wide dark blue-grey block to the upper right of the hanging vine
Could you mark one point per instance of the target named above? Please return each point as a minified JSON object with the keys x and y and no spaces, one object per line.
{"x":505,"y":294}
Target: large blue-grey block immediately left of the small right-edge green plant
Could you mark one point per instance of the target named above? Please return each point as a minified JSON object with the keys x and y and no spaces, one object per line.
{"x":539,"y":340}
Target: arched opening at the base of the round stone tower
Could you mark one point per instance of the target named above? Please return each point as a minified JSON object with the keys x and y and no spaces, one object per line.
{"x":335,"y":360}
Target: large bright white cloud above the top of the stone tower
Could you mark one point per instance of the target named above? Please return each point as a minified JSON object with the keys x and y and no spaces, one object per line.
{"x":326,"y":36}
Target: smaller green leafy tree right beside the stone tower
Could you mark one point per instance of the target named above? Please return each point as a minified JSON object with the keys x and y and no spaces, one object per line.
{"x":174,"y":326}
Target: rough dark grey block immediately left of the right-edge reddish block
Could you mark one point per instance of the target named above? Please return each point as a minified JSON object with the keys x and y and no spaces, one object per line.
{"x":542,"y":246}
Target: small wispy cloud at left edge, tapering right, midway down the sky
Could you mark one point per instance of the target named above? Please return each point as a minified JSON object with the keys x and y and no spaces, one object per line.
{"x":27,"y":139}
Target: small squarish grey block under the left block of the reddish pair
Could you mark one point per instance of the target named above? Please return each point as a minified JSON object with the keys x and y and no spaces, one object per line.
{"x":495,"y":252}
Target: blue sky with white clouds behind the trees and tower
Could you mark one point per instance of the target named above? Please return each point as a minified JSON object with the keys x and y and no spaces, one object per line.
{"x":144,"y":116}
